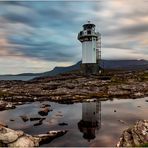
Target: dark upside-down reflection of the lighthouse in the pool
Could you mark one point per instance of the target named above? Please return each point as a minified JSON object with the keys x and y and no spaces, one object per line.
{"x":91,"y":119}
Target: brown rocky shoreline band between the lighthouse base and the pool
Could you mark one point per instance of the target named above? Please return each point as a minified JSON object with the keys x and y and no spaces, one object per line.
{"x":75,"y":87}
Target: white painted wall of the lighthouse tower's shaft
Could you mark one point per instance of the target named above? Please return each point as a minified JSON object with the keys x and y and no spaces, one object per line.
{"x":89,"y":52}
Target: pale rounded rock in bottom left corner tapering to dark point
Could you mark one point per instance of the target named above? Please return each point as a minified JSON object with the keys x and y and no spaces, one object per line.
{"x":12,"y":138}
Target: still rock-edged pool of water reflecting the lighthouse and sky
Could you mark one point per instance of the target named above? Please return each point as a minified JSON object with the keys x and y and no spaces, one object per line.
{"x":89,"y":123}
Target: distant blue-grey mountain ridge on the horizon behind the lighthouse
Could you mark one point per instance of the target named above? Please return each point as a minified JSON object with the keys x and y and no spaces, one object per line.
{"x":106,"y":64}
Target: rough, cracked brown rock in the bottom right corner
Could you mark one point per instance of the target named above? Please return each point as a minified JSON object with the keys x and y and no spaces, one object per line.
{"x":136,"y":135}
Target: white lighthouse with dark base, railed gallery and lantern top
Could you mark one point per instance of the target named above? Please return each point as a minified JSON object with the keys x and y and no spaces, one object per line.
{"x":91,"y":48}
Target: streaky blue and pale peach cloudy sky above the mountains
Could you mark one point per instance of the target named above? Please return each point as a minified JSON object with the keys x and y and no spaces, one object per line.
{"x":36,"y":36}
